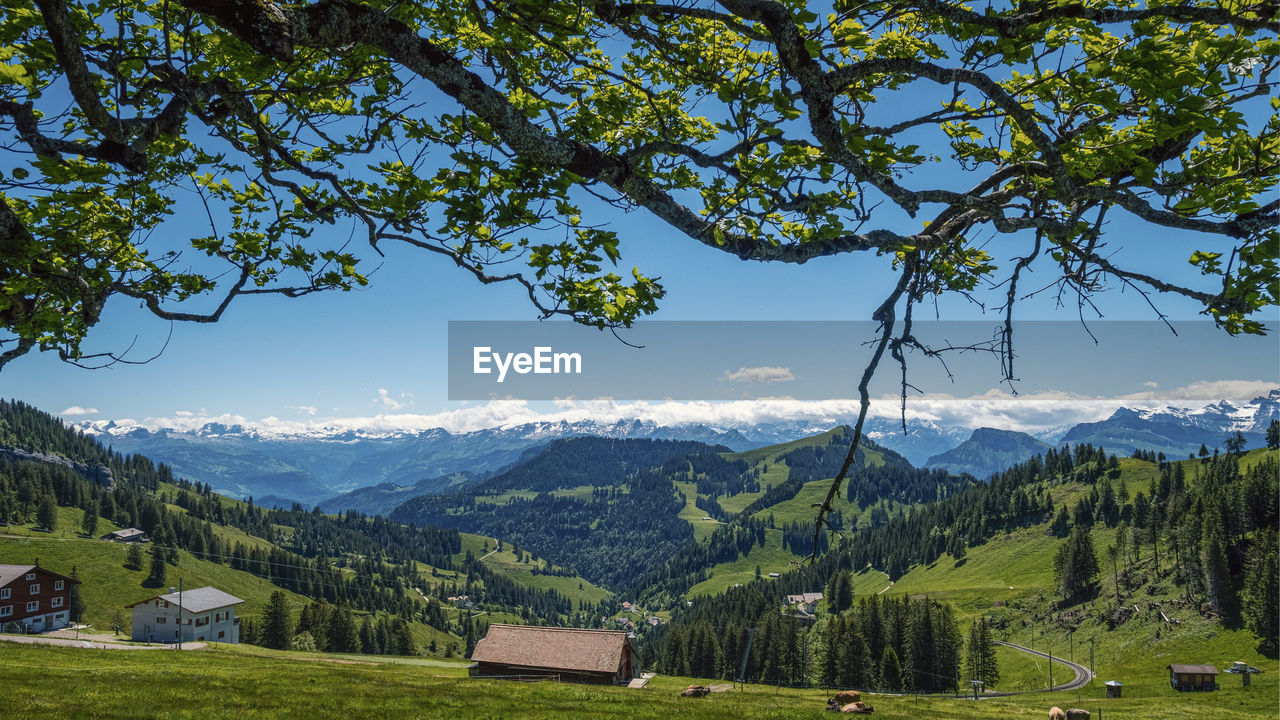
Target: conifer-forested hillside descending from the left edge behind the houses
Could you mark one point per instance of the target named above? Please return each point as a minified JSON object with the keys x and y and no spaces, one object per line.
{"x":350,"y":566}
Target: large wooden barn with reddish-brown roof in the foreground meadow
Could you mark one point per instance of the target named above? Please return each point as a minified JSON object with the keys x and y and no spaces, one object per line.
{"x":570,"y":655}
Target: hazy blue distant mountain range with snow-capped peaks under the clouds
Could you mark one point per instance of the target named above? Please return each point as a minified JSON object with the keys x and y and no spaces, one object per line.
{"x":319,"y":467}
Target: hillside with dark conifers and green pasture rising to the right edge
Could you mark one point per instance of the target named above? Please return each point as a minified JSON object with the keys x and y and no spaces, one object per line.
{"x":1101,"y":546}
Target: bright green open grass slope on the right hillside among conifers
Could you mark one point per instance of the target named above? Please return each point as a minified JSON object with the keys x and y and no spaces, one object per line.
{"x":1011,"y":580}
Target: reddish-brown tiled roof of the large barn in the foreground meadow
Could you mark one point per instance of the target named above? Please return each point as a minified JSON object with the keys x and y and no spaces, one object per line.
{"x":560,"y":649}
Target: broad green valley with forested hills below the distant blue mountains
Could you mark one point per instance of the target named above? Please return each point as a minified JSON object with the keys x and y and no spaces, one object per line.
{"x":707,"y":541}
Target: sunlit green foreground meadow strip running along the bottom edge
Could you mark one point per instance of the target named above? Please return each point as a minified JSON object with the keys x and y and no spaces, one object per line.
{"x":237,"y":682}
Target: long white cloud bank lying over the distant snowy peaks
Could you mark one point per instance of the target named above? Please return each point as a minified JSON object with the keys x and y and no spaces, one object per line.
{"x":1039,"y":414}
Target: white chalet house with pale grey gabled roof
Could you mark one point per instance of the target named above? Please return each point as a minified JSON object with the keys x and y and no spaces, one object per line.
{"x":202,"y":614}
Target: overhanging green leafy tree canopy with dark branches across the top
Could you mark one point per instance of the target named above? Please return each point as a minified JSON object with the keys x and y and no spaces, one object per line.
{"x":495,"y":134}
